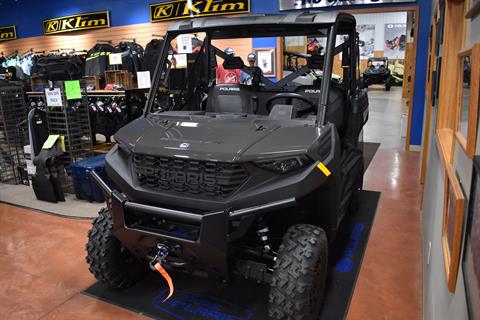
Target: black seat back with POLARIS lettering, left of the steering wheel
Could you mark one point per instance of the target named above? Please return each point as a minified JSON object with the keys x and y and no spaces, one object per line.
{"x":232,"y":98}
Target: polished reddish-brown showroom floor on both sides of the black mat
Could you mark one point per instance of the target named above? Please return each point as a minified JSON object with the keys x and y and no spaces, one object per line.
{"x":43,"y":269}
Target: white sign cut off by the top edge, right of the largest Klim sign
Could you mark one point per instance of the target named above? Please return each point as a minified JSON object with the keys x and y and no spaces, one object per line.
{"x":307,"y":4}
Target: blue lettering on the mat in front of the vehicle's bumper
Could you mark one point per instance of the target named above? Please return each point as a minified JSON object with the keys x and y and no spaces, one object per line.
{"x":185,"y":305}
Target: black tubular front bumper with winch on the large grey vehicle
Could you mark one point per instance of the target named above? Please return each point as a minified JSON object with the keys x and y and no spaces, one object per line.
{"x":209,"y":249}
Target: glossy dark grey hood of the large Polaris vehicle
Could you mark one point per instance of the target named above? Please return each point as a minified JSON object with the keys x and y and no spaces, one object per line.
{"x":217,"y":139}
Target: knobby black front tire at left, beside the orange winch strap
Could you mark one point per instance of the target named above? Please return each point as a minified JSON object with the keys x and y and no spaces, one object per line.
{"x":108,"y":260}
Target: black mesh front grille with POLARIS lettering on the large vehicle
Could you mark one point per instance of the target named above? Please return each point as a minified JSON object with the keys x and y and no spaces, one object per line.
{"x":201,"y":178}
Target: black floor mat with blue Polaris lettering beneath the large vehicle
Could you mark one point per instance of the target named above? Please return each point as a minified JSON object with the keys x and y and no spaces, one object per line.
{"x":200,"y":299}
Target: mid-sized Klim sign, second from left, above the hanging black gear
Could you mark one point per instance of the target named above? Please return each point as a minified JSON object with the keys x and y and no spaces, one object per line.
{"x":84,"y":21}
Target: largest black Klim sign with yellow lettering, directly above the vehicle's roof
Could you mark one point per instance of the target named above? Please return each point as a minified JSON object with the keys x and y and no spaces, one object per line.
{"x":184,"y":9}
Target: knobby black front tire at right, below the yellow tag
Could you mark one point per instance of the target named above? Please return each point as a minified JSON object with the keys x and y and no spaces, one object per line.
{"x":299,"y":276}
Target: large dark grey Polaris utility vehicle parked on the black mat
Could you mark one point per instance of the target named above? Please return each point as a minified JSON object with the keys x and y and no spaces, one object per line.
{"x":223,"y":179}
